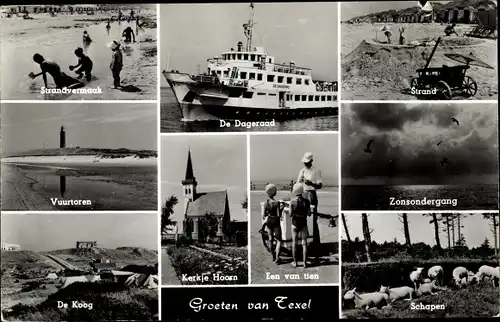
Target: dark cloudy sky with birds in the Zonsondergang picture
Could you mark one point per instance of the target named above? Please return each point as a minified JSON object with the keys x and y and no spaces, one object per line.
{"x":405,"y":149}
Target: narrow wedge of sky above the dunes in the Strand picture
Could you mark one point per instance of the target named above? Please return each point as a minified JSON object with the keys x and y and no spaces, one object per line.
{"x":350,"y":10}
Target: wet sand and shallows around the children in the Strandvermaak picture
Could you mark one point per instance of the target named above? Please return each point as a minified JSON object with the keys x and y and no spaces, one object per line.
{"x":56,"y":38}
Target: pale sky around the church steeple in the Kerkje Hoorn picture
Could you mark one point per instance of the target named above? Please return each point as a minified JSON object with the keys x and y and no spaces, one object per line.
{"x":219,"y":163}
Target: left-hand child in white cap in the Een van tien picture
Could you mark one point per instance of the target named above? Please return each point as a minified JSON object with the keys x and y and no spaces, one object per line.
{"x":272,"y":217}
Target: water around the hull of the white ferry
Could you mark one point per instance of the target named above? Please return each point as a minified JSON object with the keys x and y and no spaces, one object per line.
{"x":171,"y":121}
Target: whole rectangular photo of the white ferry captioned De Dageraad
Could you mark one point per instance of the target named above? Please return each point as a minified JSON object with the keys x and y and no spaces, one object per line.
{"x":249,"y":67}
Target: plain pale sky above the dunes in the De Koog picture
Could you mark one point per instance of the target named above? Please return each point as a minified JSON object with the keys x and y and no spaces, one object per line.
{"x":44,"y":232}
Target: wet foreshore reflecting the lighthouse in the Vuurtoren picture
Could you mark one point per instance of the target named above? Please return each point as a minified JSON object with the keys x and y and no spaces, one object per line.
{"x":31,"y":187}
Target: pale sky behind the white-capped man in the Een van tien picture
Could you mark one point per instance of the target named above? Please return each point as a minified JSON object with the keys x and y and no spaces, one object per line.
{"x":277,"y":157}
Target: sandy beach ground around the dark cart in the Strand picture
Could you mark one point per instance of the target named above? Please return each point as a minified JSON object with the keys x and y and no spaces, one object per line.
{"x":386,"y":74}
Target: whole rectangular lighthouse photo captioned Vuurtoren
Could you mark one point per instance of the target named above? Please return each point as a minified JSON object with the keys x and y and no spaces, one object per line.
{"x":86,"y":156}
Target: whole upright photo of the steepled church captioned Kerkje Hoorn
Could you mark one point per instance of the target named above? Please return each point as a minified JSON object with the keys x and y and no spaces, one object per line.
{"x":204,"y":202}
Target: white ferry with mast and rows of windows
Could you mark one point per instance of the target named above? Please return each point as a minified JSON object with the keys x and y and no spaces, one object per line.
{"x":248,"y":84}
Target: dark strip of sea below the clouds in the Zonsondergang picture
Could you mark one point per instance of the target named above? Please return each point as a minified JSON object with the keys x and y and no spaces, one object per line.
{"x":473,"y":197}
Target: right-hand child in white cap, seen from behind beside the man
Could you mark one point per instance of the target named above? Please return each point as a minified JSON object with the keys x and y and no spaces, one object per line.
{"x":300,"y":209}
